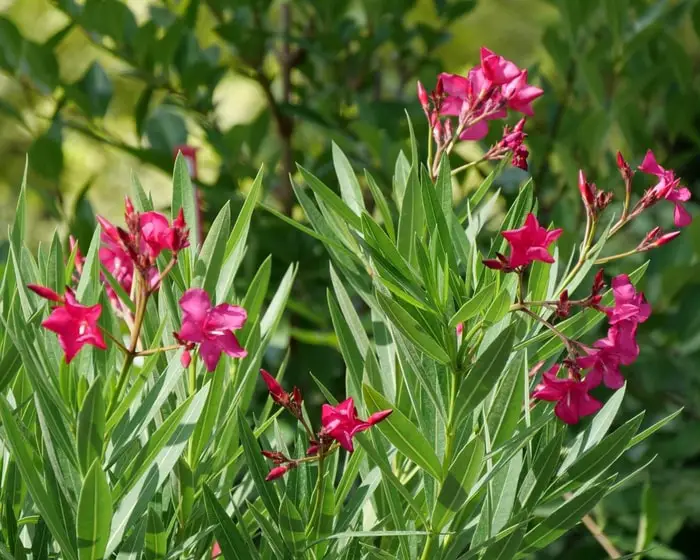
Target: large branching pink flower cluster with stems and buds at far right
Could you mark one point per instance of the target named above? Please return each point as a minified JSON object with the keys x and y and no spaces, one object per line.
{"x":588,"y":367}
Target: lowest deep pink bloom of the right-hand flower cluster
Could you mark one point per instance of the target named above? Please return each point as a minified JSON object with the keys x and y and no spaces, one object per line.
{"x":571,"y":396}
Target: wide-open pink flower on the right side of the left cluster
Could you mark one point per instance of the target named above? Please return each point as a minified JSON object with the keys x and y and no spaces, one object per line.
{"x":211,"y":327}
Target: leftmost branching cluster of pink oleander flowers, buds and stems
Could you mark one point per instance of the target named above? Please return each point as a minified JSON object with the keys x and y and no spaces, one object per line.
{"x":130,"y":257}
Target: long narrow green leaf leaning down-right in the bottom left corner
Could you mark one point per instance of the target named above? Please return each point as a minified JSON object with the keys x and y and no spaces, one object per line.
{"x":25,"y":460}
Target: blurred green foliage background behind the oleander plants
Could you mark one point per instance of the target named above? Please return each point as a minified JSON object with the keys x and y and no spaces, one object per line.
{"x":92,"y":90}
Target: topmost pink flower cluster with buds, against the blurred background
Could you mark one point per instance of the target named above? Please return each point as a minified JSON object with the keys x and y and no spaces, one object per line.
{"x":460,"y":106}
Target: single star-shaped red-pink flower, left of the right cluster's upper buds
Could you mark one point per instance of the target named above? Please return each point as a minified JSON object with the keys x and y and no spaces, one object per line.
{"x":528,"y":244}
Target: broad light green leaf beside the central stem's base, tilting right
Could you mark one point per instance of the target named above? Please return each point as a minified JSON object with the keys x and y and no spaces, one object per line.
{"x":456,"y":488}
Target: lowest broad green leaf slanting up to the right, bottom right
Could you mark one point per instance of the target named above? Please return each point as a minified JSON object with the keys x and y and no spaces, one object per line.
{"x":563,"y":518}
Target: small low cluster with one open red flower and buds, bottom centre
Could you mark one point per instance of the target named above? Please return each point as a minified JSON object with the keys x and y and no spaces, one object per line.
{"x":339,"y":424}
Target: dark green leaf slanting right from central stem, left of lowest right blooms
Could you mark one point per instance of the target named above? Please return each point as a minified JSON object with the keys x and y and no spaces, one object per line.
{"x":484,"y":374}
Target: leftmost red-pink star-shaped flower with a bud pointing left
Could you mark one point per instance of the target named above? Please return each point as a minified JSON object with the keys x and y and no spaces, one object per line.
{"x":74,"y":323}
